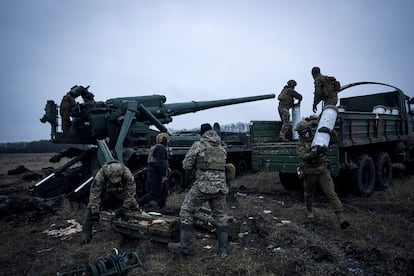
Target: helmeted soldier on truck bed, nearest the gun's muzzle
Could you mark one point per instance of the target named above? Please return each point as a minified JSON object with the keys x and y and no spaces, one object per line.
{"x":286,"y":101}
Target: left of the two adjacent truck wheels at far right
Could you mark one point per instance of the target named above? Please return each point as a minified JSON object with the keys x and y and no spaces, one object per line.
{"x":364,"y":176}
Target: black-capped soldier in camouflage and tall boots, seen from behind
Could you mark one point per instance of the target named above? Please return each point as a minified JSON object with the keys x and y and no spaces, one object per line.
{"x":208,"y":159}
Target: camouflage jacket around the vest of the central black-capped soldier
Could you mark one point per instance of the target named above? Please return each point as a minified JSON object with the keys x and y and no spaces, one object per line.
{"x":208,"y":181}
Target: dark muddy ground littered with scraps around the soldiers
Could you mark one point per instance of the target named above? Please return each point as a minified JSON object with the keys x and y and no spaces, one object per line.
{"x":274,"y":237}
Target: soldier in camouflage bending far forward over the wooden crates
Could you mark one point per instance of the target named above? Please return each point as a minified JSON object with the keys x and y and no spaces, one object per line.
{"x":114,"y":184}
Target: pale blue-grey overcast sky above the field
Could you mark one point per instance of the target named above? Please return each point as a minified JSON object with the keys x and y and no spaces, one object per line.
{"x":194,"y":50}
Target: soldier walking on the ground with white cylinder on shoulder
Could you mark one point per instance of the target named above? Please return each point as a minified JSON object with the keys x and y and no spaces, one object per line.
{"x":315,"y":169}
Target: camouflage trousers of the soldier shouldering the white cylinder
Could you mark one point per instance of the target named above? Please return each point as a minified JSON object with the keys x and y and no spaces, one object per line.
{"x":328,"y":187}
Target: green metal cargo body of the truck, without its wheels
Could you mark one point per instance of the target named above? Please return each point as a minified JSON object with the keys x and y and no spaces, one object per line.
{"x":359,"y":128}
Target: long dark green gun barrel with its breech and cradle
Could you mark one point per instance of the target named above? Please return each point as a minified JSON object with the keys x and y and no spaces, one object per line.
{"x":127,"y":119}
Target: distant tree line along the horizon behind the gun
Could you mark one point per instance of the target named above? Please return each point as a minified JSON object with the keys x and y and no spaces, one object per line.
{"x":46,"y":146}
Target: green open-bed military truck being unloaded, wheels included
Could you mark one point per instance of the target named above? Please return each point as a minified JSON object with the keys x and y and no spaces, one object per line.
{"x":375,"y":131}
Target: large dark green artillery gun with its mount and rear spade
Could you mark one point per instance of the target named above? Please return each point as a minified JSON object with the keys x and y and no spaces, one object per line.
{"x":118,"y":128}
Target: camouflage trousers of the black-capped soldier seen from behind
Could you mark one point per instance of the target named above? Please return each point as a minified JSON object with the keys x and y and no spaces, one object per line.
{"x":195,"y":199}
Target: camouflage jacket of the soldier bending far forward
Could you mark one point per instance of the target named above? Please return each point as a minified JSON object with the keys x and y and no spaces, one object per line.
{"x":113,"y":179}
